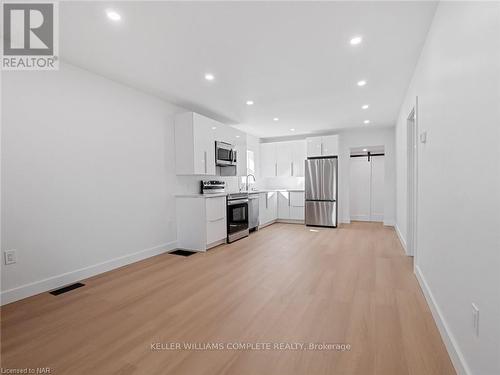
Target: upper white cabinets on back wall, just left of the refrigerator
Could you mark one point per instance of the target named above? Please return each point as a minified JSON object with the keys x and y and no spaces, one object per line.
{"x":283,"y":159}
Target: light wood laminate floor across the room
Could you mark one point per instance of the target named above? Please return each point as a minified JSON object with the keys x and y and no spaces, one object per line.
{"x":283,"y":284}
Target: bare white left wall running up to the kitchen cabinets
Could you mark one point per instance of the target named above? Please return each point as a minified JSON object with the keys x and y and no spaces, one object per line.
{"x":87,"y":177}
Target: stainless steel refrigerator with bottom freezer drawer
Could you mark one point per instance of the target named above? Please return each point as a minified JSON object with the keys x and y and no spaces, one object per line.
{"x":321,"y":192}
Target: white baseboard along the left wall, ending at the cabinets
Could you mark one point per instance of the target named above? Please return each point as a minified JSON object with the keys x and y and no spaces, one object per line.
{"x":58,"y":281}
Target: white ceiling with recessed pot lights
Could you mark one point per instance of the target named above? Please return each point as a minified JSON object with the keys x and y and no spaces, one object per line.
{"x":294,"y":60}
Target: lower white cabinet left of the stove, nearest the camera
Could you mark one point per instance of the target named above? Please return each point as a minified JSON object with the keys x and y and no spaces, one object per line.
{"x":201,"y":222}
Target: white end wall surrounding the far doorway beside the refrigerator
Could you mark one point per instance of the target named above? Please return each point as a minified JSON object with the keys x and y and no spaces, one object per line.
{"x":367,"y":137}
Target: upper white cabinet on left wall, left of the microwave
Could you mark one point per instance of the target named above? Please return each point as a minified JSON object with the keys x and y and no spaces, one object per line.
{"x":195,"y":144}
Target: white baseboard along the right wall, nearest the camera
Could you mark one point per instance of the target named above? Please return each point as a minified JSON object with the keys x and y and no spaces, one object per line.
{"x":456,"y":355}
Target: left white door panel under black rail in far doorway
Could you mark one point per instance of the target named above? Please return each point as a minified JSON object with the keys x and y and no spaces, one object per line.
{"x":360,"y":189}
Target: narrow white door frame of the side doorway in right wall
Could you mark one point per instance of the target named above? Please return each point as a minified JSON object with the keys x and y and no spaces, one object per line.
{"x":412,"y":180}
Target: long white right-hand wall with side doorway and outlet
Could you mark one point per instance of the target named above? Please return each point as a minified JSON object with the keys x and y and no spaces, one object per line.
{"x":457,"y":81}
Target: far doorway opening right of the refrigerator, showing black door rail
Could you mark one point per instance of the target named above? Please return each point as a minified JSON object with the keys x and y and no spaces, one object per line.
{"x":367,"y":183}
